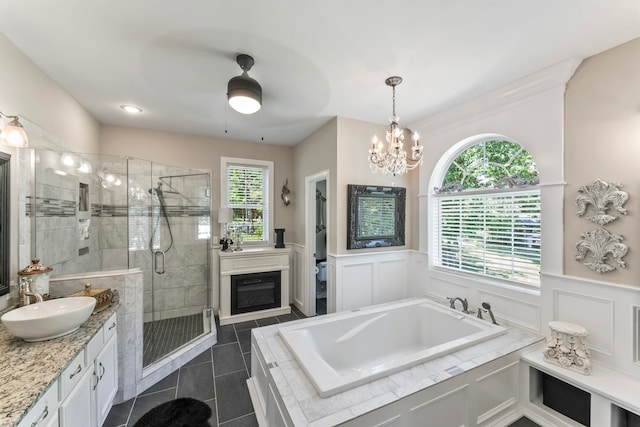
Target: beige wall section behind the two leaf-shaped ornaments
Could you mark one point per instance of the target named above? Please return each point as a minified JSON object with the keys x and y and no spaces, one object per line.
{"x":602,"y":141}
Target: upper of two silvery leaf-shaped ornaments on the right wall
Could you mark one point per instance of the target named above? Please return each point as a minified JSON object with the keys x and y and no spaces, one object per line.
{"x":601,"y":195}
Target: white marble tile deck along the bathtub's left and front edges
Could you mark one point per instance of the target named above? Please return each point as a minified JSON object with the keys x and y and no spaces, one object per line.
{"x":306,"y":407}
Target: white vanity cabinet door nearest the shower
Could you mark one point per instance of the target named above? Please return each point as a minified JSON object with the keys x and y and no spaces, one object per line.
{"x":106,"y":370}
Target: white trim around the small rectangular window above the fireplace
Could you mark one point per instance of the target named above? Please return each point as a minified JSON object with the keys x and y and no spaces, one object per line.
{"x":224,"y":163}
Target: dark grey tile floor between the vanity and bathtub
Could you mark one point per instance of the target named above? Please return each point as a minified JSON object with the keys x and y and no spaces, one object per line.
{"x":217,"y":376}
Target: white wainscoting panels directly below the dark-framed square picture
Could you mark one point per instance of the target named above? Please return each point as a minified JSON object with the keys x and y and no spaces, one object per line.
{"x":369,"y":278}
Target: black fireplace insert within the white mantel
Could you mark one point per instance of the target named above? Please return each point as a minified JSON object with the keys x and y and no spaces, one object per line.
{"x":255,"y":291}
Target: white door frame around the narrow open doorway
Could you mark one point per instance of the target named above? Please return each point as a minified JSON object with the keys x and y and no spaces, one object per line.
{"x":310,"y":238}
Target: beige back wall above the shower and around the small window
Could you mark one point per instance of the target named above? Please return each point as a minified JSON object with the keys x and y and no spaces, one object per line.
{"x":200,"y":152}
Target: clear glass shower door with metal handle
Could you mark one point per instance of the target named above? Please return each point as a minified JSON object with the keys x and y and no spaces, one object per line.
{"x":175,"y":260}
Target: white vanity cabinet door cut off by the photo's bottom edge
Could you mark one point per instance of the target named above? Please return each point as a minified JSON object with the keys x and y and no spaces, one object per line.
{"x":76,"y":409}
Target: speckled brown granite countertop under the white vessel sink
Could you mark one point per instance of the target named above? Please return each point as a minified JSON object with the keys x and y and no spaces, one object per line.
{"x":27,"y":369}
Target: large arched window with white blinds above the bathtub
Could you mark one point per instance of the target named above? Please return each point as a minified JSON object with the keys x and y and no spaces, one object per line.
{"x":487,"y":213}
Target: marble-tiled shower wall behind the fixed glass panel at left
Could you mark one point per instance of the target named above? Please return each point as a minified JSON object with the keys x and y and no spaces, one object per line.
{"x":58,"y":221}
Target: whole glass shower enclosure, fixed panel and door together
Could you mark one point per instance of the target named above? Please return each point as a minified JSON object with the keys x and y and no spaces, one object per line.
{"x":94,"y":213}
